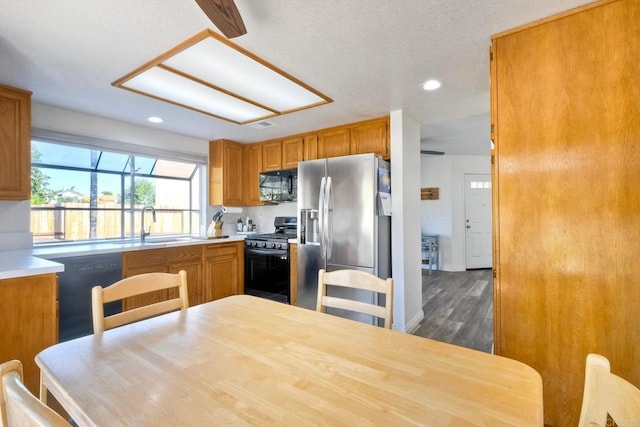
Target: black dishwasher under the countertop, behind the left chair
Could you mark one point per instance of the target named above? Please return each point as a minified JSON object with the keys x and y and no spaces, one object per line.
{"x":80,"y":274}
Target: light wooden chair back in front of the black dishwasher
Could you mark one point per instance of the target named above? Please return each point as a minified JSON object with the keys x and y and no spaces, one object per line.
{"x":137,"y":285}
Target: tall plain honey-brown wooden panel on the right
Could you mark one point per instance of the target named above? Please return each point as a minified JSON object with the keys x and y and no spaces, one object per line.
{"x":566,"y":116}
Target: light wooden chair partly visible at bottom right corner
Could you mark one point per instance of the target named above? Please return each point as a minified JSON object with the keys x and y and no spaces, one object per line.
{"x":607,"y":398}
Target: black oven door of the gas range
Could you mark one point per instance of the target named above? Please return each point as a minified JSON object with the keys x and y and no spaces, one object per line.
{"x":266,"y":273}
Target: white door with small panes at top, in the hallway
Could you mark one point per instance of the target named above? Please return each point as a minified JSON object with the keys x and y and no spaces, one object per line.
{"x":477,"y":204}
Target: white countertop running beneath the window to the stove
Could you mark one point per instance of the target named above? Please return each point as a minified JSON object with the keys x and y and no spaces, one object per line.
{"x":31,"y":262}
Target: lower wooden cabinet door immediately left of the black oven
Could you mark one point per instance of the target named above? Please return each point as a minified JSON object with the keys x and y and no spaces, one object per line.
{"x":224,"y":270}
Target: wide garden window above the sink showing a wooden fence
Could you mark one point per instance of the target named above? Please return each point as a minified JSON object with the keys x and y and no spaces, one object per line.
{"x":85,"y":193}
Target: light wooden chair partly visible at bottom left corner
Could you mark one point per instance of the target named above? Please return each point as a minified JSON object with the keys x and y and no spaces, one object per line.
{"x":18,"y":406}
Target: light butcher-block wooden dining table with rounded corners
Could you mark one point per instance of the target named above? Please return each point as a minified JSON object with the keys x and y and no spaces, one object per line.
{"x":243,"y":360}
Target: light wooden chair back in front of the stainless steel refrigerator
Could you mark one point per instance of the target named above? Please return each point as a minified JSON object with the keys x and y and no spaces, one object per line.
{"x":357,"y":280}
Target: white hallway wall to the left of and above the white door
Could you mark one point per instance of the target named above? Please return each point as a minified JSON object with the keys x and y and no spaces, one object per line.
{"x":445,"y":217}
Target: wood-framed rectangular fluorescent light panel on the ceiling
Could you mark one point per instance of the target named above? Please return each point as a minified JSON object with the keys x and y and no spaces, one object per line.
{"x":209,"y":74}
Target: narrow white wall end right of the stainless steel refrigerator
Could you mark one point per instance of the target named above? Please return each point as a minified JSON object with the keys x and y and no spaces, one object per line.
{"x":405,"y":222}
